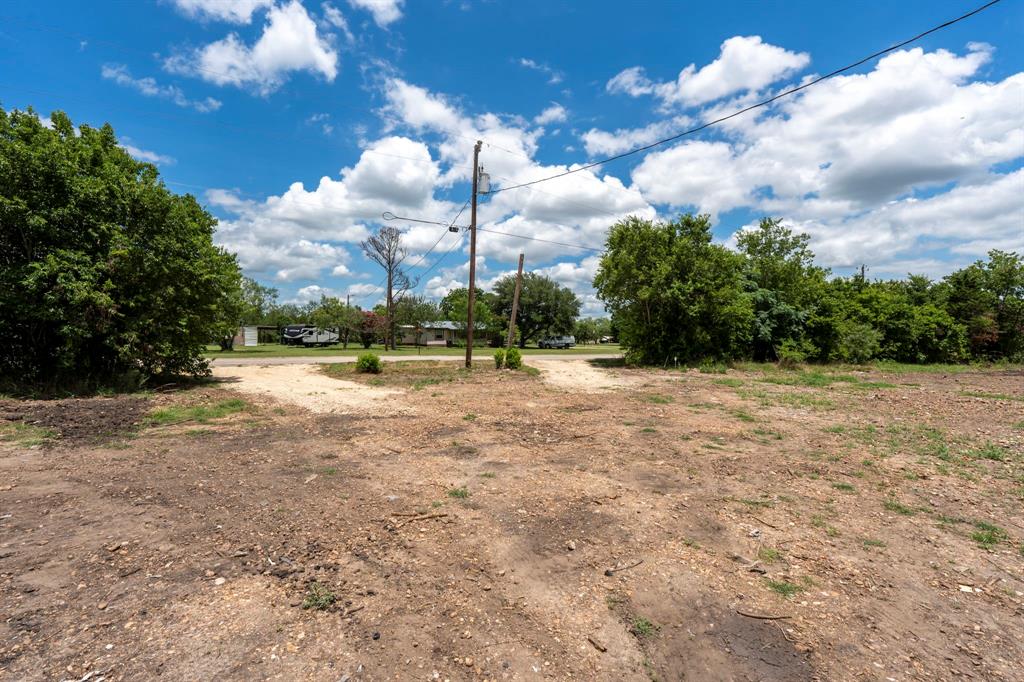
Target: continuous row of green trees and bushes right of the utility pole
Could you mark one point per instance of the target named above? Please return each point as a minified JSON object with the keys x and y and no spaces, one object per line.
{"x":674,"y":294}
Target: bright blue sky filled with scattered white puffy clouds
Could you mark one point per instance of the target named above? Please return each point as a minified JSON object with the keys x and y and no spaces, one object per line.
{"x":298,"y":123}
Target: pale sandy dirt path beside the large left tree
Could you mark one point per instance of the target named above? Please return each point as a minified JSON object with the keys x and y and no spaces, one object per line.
{"x":307,"y":387}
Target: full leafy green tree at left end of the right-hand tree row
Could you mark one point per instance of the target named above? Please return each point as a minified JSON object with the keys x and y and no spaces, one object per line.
{"x":672,"y":293}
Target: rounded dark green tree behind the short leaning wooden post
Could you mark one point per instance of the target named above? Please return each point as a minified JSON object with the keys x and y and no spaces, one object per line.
{"x":545,"y":307}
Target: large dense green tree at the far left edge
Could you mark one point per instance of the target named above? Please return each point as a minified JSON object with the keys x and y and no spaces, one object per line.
{"x":106,"y":276}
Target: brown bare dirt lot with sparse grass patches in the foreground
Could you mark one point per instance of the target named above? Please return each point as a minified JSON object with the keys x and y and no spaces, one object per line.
{"x":602,"y":524}
